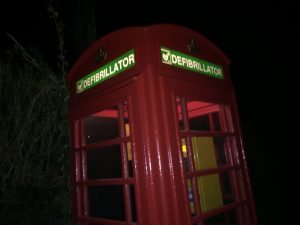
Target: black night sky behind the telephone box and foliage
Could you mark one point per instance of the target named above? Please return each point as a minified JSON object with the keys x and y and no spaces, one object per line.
{"x":261,"y":39}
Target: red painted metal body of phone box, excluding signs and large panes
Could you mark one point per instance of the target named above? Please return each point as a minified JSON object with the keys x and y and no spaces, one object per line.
{"x":151,"y":88}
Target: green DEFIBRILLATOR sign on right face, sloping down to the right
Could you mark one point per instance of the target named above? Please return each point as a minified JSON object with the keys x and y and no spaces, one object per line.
{"x":191,"y":63}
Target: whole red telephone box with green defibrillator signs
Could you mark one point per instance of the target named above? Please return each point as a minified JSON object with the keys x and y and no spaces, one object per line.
{"x":155,"y":136}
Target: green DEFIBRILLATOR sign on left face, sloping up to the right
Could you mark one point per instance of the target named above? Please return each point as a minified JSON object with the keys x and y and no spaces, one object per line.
{"x":107,"y":71}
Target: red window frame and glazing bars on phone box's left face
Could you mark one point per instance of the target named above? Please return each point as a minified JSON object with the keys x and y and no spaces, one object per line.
{"x":80,"y":180}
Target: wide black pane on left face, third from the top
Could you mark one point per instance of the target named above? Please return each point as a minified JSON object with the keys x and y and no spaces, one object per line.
{"x":106,"y":202}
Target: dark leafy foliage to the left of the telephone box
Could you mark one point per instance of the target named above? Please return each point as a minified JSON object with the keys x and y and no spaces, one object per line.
{"x":34,"y":168}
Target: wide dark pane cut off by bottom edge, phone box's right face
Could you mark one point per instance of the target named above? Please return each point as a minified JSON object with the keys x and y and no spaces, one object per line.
{"x":228,"y":217}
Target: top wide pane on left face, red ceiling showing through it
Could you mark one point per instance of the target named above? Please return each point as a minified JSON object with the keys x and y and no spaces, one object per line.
{"x":102,"y":125}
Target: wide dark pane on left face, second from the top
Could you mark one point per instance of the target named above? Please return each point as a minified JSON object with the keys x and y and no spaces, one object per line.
{"x":104,"y":163}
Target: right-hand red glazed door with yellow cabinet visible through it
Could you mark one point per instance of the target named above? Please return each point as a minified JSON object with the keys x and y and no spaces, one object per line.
{"x":210,"y":154}
